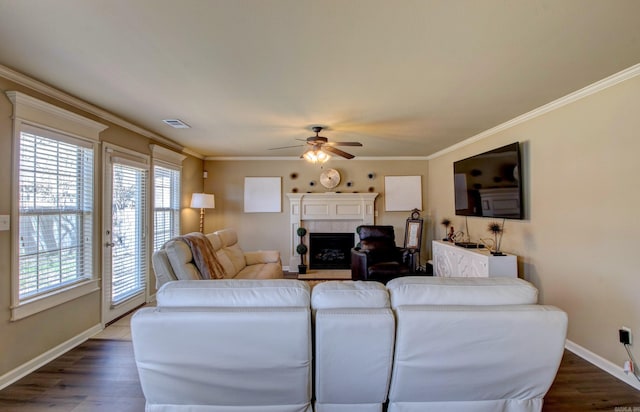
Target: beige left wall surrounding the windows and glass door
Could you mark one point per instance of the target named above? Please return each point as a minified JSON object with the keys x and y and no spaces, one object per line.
{"x":23,"y":340}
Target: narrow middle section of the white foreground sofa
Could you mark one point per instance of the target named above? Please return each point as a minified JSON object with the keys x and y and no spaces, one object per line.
{"x":354,"y":334}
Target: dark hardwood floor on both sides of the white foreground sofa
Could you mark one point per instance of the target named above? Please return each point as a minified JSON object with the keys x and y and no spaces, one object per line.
{"x":100,"y":375}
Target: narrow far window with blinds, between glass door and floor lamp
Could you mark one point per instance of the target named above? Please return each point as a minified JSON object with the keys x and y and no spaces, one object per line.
{"x":166,"y":218}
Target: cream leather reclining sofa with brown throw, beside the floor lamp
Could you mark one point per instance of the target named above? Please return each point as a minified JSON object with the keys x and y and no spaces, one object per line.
{"x":175,"y":260}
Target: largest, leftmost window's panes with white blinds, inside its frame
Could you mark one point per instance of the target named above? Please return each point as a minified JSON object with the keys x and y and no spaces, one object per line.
{"x":56,"y":212}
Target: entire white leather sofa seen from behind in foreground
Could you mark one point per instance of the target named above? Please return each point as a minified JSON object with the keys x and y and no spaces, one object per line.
{"x":418,"y":344}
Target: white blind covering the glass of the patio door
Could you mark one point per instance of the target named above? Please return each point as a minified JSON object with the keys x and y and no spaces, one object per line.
{"x":129,"y":260}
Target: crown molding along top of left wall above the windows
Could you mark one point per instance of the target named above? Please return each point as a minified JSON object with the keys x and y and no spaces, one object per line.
{"x":54,"y":93}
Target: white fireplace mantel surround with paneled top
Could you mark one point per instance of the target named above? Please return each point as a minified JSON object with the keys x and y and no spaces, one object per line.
{"x":328,"y":211}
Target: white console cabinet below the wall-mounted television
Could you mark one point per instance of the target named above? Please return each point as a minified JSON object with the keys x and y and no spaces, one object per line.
{"x":450,"y":260}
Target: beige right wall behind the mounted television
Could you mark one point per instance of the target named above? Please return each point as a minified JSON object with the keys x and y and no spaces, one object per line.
{"x":579,"y":242}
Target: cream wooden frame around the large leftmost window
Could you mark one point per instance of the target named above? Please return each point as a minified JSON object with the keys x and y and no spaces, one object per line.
{"x":63,"y":125}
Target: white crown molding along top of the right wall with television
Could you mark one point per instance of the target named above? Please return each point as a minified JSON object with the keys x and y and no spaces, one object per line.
{"x":596,"y":87}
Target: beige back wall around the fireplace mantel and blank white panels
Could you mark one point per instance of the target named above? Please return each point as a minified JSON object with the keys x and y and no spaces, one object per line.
{"x":270,"y":230}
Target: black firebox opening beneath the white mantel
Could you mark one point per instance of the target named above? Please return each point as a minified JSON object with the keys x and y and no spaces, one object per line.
{"x":330,"y":250}
